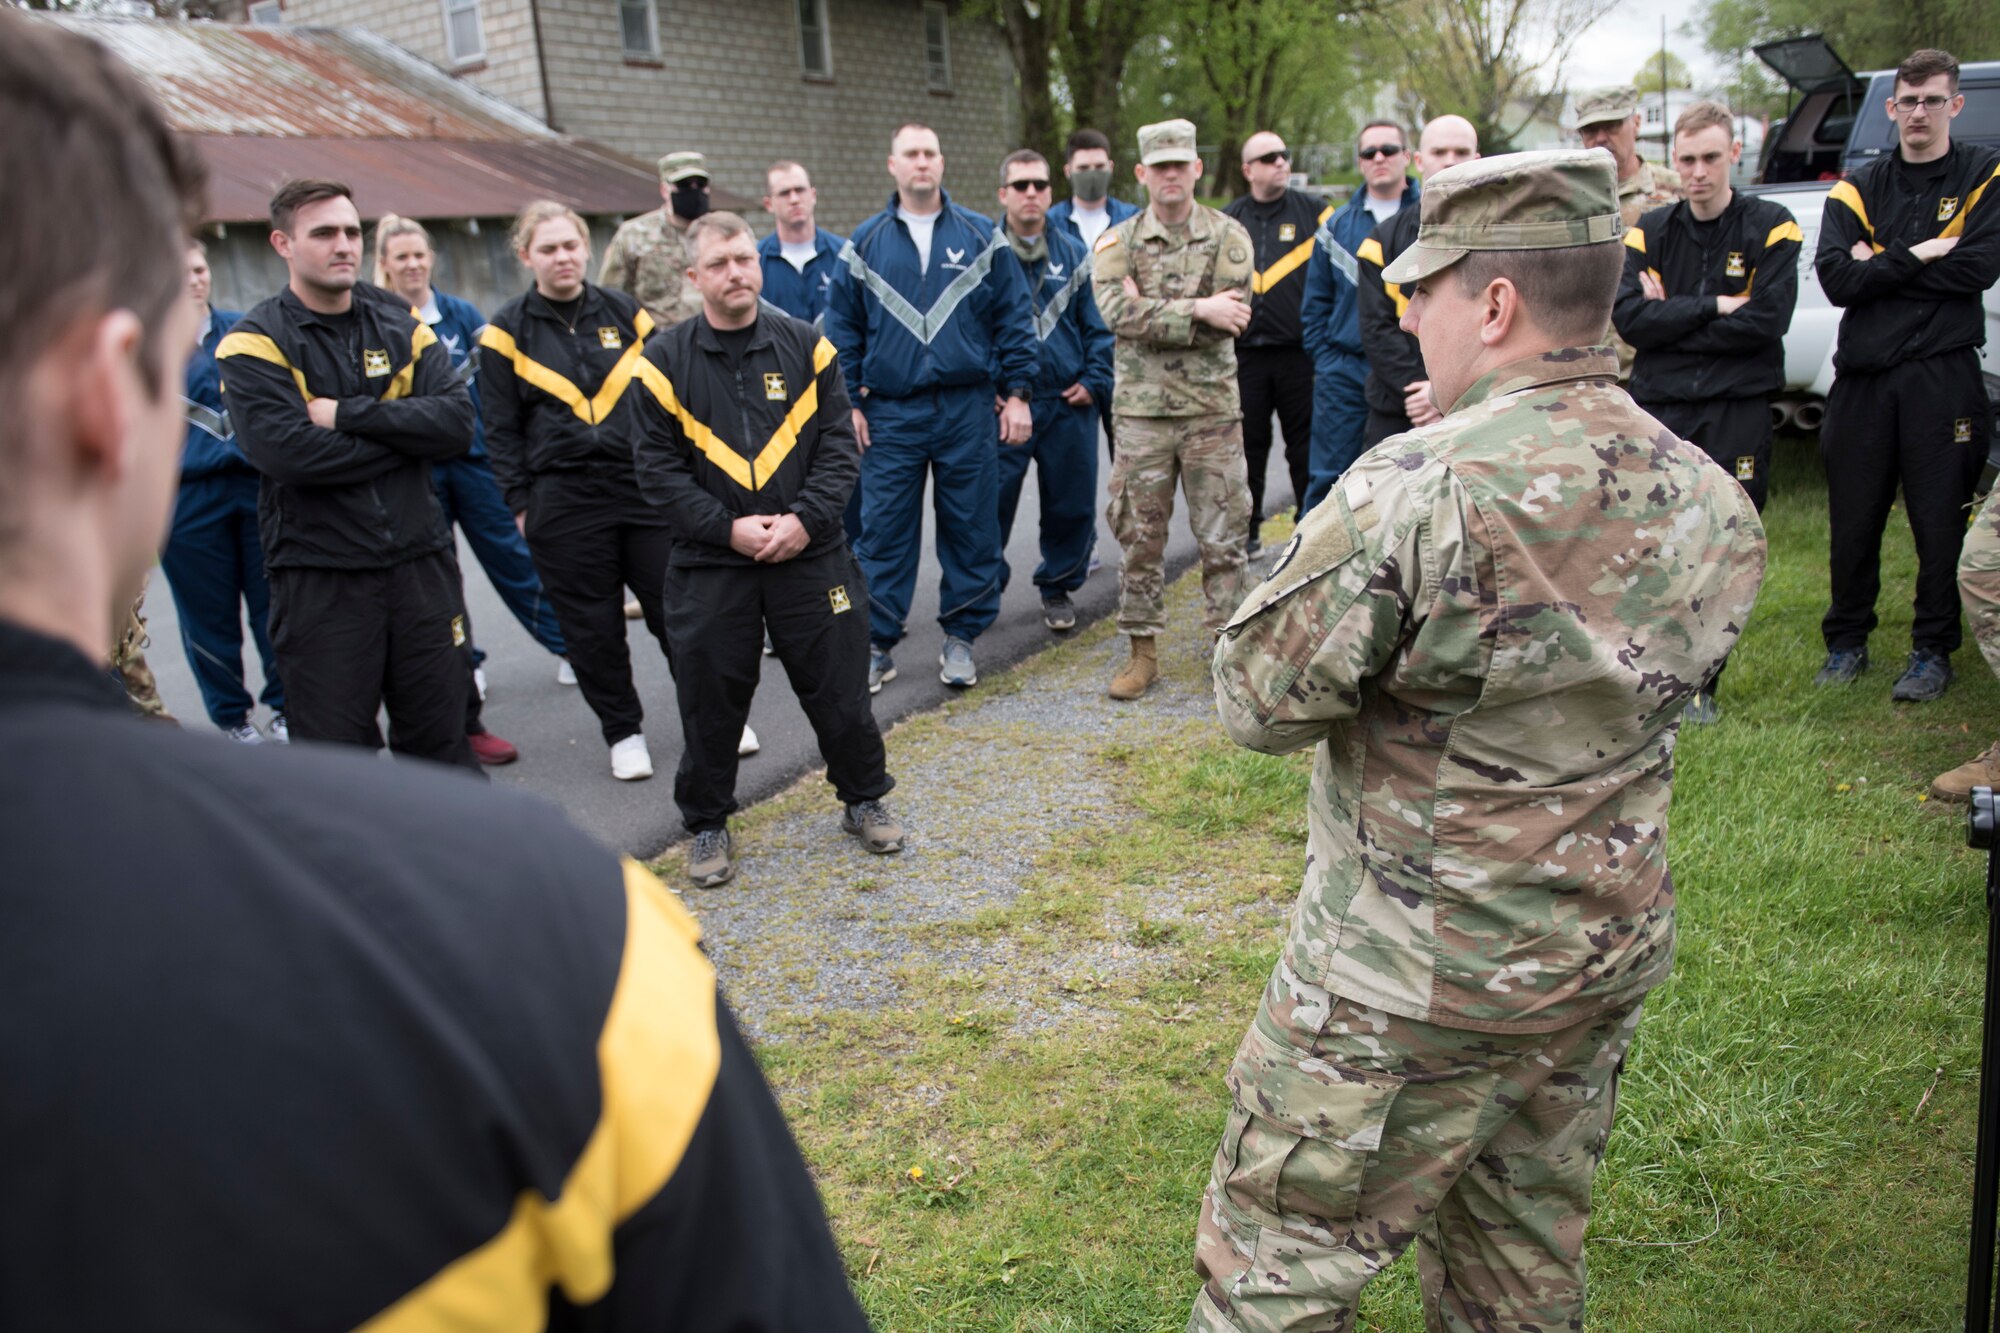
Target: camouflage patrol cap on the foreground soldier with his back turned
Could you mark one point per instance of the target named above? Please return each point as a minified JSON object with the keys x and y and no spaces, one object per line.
{"x":1517,"y":201}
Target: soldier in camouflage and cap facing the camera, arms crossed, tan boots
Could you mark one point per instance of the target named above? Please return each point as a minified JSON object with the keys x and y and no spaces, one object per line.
{"x":1171,"y":285}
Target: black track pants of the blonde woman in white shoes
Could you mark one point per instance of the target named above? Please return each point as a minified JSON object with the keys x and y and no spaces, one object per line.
{"x":593,"y":537}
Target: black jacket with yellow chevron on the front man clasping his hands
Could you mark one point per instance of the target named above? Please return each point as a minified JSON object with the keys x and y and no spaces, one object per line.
{"x":767,"y":437}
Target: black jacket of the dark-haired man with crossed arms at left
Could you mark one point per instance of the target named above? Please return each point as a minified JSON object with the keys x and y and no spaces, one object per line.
{"x":359,"y":495}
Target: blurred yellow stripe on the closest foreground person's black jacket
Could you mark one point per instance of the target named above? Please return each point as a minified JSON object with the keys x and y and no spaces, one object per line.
{"x":657,"y":1060}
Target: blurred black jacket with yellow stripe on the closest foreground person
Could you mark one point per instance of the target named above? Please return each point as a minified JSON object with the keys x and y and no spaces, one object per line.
{"x":307,"y":1042}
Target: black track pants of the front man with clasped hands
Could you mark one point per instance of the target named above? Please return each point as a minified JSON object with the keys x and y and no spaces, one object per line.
{"x":817,"y":611}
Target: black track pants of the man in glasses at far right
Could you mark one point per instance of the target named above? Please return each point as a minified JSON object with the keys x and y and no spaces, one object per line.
{"x":1921,"y":425}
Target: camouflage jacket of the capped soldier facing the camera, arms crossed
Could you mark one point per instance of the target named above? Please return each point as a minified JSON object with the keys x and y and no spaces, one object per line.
{"x":1167,"y":363}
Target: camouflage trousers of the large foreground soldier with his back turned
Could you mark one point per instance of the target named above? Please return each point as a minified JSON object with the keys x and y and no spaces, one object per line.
{"x":1355,"y":1132}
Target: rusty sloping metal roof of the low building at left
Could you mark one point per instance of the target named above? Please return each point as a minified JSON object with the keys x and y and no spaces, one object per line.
{"x":265,"y":105}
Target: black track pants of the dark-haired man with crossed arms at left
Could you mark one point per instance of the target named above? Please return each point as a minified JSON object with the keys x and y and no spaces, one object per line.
{"x":351,"y":641}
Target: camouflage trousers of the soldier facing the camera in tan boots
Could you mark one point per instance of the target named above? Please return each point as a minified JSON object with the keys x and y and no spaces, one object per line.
{"x":1207,"y":455}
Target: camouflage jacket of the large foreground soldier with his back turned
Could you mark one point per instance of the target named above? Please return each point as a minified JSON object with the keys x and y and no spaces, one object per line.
{"x":1489,"y":629}
